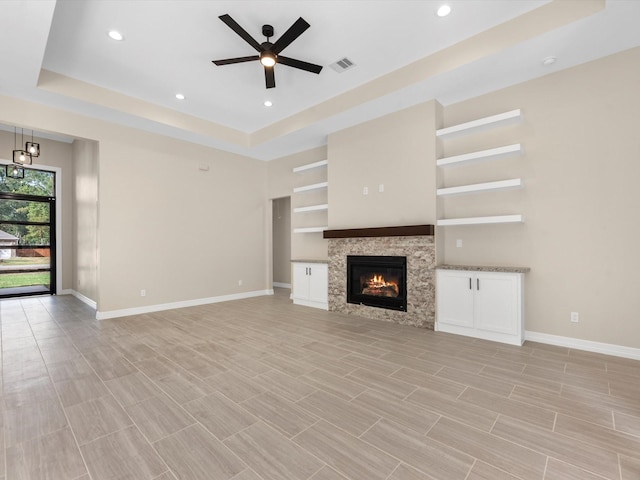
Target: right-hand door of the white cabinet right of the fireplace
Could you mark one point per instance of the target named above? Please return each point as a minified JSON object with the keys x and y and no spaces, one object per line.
{"x":497,"y":302}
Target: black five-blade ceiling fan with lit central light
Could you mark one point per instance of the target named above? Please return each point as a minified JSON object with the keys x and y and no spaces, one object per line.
{"x":269,"y":53}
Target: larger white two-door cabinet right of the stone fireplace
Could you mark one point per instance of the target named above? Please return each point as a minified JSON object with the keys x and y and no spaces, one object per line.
{"x":486,"y":305}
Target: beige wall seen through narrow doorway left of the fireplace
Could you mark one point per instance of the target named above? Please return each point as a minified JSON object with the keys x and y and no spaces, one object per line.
{"x":281,"y":208}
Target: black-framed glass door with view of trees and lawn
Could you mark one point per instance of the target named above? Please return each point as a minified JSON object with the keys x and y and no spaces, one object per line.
{"x":27,"y":234}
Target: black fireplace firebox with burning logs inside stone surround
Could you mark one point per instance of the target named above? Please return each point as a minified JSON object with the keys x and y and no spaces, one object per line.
{"x":377,"y":281}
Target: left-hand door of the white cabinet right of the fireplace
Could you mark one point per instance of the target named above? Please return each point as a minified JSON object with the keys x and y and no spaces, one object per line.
{"x":455,"y":298}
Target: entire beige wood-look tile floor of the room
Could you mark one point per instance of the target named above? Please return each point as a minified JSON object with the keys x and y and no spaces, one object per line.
{"x":262,"y":389}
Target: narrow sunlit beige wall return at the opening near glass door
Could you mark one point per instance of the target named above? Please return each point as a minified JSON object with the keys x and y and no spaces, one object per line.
{"x":85,"y":225}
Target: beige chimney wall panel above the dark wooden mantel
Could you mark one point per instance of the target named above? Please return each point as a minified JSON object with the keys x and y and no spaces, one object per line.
{"x":398,"y":151}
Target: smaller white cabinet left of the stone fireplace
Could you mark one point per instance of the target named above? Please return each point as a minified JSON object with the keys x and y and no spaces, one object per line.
{"x":311,"y":284}
